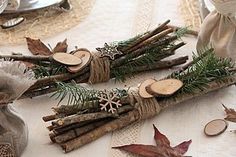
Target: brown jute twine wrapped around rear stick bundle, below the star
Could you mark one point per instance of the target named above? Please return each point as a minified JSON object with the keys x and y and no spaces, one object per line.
{"x":99,"y":69}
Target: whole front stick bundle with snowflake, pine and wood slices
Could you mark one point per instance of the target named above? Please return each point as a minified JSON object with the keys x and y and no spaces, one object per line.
{"x":85,"y":120}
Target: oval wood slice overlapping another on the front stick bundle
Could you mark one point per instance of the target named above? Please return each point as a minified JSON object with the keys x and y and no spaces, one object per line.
{"x":165,"y":87}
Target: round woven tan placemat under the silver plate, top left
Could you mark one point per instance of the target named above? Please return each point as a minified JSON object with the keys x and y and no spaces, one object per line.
{"x":45,"y":23}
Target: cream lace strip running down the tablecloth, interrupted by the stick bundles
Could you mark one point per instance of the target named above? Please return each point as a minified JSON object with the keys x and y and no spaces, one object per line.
{"x":131,"y":134}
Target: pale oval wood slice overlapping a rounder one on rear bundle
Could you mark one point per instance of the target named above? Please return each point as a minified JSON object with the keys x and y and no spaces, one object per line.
{"x":66,"y":59}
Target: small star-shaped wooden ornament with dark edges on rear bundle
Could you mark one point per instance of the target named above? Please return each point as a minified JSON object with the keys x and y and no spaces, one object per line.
{"x":109,"y":51}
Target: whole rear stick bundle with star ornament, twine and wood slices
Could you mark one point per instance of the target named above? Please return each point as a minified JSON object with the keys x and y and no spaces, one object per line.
{"x":117,"y":60}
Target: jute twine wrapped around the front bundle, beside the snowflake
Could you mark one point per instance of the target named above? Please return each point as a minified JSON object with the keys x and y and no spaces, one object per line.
{"x":147,"y":107}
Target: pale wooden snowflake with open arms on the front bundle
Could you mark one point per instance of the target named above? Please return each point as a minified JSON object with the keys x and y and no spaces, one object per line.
{"x":109,"y":101}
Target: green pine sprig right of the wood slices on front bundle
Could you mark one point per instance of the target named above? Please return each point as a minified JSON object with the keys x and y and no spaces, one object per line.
{"x":205,"y":68}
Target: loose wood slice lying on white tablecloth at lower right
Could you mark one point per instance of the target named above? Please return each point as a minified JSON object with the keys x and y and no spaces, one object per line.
{"x":215,"y":127}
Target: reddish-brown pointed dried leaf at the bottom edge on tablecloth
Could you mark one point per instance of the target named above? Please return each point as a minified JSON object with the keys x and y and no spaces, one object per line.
{"x":162,"y":148}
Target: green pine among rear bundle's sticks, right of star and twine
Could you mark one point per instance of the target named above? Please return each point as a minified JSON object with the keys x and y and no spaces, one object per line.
{"x":151,"y":54}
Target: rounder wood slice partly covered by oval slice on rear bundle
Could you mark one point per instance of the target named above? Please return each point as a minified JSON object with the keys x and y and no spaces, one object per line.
{"x":85,"y":56}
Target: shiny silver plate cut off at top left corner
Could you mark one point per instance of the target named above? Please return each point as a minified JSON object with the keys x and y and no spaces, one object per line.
{"x":30,"y":5}
